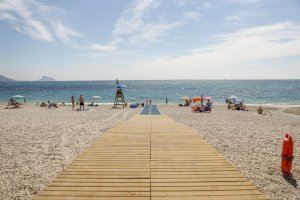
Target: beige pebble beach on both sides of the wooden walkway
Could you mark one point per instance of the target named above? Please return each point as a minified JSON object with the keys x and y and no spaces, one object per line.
{"x":36,"y":143}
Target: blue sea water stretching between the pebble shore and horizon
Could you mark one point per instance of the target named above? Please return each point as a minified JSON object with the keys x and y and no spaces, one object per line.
{"x":251,"y":91}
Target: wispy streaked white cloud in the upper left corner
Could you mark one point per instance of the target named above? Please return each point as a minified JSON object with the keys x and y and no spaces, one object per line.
{"x":37,"y":20}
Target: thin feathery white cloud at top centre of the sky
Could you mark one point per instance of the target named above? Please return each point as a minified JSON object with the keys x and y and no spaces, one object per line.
{"x":148,"y":20}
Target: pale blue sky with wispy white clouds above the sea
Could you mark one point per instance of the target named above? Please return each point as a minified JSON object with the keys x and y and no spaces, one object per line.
{"x":150,"y":39}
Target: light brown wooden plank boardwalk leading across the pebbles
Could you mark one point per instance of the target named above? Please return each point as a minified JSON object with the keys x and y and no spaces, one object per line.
{"x":150,"y":157}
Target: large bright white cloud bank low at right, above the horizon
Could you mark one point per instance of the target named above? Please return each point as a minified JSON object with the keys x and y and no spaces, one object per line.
{"x":231,"y":52}
